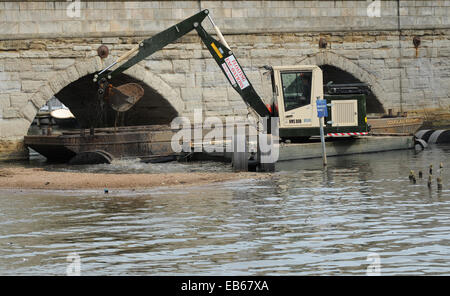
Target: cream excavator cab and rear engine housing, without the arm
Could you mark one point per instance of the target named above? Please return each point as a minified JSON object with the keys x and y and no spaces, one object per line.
{"x":295,"y":92}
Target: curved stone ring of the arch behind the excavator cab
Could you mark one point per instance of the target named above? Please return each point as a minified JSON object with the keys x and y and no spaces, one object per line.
{"x":329,"y":58}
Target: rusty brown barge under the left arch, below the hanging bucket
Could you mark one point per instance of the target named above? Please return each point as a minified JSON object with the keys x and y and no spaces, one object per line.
{"x":149,"y":143}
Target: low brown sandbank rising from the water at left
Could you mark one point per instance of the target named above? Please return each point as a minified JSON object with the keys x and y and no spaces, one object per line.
{"x":37,"y":178}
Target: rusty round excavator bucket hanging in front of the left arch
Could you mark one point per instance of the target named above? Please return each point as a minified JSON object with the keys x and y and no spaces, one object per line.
{"x":123,"y":97}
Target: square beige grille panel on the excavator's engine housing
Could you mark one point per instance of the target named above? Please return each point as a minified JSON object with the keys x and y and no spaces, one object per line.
{"x":344,"y":113}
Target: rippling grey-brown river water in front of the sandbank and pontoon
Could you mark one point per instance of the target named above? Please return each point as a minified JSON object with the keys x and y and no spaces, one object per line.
{"x":362,"y":212}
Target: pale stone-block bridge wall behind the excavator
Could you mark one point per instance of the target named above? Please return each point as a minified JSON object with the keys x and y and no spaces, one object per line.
{"x":50,"y":49}
